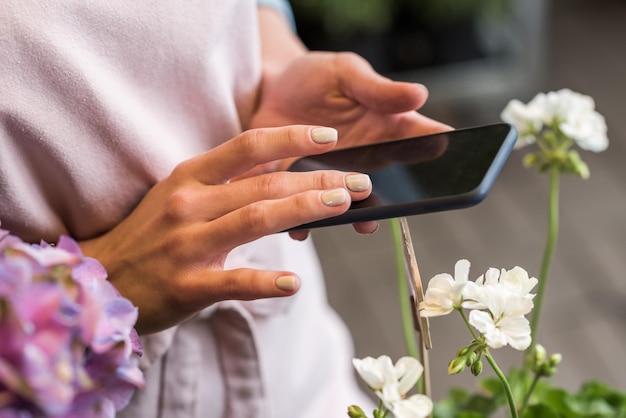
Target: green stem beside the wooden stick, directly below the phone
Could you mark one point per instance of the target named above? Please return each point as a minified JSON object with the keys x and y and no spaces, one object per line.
{"x":406,"y":310}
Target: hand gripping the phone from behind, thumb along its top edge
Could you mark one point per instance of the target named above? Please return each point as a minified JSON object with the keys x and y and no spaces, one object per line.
{"x":343,"y":91}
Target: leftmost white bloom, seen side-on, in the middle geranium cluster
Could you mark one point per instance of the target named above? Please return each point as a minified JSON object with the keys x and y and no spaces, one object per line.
{"x":445,"y":293}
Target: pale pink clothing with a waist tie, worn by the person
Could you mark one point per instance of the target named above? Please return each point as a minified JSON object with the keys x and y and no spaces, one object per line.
{"x":101,"y":99}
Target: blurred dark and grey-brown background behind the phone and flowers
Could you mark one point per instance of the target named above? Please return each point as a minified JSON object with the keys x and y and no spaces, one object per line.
{"x":475,"y":56}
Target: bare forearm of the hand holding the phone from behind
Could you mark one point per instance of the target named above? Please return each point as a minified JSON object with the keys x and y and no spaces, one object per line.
{"x":280,"y":45}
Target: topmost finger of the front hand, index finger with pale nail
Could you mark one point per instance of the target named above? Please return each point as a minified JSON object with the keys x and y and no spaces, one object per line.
{"x":258,"y":146}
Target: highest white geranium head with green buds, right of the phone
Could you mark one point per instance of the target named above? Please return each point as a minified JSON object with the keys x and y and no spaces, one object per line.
{"x":556,"y":121}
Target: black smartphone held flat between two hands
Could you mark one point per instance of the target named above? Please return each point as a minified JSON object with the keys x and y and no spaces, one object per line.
{"x":431,"y":173}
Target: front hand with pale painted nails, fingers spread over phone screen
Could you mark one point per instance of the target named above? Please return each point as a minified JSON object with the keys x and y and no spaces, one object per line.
{"x":168,"y":255}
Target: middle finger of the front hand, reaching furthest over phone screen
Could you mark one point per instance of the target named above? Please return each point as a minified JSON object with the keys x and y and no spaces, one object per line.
{"x":283,"y":184}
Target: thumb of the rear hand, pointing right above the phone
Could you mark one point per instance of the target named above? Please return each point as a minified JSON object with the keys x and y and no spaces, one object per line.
{"x":376,"y":92}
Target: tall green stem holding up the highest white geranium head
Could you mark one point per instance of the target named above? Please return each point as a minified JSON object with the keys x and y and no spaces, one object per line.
{"x":553,"y":229}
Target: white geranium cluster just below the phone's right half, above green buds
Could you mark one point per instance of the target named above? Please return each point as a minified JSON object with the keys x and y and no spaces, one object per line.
{"x":498,"y":302}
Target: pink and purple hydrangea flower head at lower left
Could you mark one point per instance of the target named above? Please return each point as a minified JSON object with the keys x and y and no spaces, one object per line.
{"x":68,"y":344}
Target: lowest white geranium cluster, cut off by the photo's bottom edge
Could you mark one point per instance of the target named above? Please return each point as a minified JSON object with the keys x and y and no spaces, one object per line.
{"x":391,"y":383}
